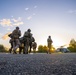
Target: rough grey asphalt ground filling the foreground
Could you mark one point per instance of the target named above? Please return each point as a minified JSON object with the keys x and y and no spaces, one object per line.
{"x":38,"y":64}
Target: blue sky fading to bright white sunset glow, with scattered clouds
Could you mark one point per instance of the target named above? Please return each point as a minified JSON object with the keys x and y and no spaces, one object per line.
{"x":44,"y":17}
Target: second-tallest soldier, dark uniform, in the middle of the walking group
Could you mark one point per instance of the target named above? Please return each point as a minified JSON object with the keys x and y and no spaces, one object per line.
{"x":27,"y":38}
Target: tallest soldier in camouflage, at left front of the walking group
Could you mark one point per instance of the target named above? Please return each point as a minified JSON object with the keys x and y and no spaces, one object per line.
{"x":16,"y":43}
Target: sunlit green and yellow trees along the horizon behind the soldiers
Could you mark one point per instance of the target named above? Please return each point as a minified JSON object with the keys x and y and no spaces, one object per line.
{"x":44,"y":48}
